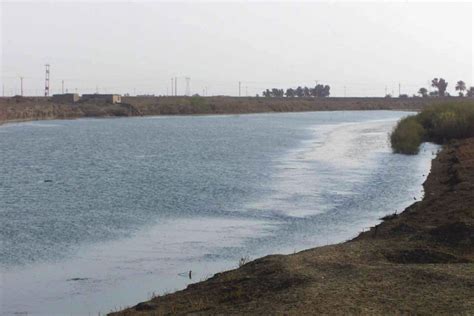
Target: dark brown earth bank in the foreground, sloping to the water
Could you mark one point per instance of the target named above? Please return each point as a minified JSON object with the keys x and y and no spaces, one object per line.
{"x":420,"y":261}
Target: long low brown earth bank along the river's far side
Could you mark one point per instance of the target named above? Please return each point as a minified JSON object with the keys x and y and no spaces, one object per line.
{"x":40,"y":108}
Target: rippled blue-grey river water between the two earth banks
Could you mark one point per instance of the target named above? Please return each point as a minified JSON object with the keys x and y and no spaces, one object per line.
{"x":100,"y":213}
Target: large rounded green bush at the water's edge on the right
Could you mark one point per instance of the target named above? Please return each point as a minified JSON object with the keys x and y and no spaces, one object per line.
{"x":439,"y":124}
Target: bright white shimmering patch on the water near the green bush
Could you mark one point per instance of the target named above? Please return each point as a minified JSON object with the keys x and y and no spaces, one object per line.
{"x":332,"y":162}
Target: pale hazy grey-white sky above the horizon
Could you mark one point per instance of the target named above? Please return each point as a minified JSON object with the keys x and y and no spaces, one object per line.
{"x":136,"y":47}
